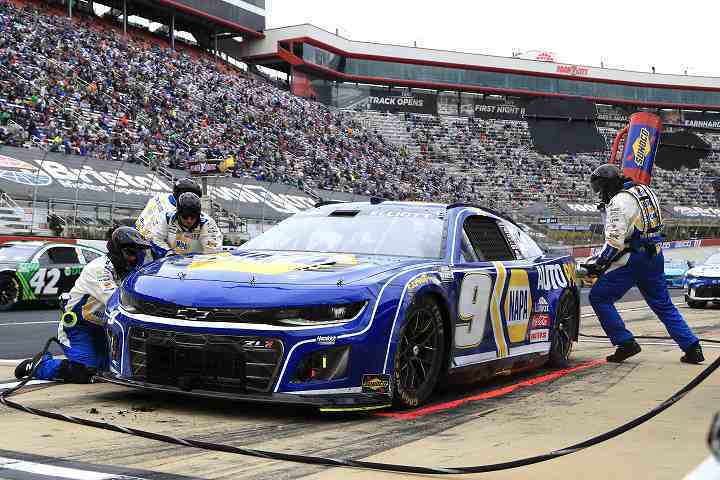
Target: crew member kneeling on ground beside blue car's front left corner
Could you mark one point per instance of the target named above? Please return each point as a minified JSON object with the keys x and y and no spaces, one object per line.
{"x":81,"y":329}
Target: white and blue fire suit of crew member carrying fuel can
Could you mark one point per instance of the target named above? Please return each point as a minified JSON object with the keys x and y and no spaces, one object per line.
{"x":632,"y":256}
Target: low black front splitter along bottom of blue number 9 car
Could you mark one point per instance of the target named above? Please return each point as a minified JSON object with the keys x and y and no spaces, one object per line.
{"x":339,"y":402}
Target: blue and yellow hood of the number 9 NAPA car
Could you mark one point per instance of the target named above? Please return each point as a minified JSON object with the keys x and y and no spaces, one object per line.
{"x":264,"y":267}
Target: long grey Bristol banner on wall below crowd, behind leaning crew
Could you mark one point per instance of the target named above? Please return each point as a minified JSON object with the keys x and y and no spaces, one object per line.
{"x":27,"y":174}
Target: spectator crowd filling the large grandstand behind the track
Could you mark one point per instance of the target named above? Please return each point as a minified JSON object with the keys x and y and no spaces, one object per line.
{"x":76,"y":86}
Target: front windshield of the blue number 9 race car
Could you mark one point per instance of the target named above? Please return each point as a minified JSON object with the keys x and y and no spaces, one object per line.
{"x":377,"y":232}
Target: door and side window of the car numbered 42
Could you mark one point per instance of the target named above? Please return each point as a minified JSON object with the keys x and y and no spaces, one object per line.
{"x":59,"y":268}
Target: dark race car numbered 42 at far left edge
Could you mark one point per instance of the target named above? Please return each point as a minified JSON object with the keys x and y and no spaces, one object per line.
{"x":35,"y":270}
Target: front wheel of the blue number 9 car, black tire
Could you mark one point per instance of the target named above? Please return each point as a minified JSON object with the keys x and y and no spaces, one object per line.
{"x":419,"y":355}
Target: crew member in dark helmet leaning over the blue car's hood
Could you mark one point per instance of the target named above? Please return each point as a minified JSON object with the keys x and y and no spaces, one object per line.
{"x":187,"y":230}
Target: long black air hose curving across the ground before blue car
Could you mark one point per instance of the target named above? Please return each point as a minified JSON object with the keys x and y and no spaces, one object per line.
{"x":332,"y":462}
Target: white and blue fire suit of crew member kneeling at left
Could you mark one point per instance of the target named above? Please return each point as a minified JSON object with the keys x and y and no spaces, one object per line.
{"x":81,"y":328}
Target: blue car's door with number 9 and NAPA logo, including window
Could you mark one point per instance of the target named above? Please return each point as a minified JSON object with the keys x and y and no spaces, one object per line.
{"x":494,"y":302}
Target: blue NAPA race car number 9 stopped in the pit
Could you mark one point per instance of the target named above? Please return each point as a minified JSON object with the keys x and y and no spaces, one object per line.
{"x":347,"y":306}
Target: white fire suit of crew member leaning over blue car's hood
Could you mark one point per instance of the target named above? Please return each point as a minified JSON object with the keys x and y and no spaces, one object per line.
{"x":168,"y":236}
